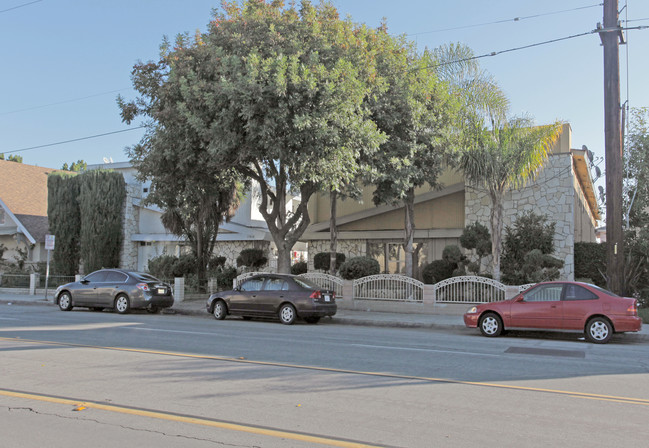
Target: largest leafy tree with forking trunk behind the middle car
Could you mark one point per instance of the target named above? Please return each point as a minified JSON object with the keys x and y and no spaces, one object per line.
{"x":276,"y":93}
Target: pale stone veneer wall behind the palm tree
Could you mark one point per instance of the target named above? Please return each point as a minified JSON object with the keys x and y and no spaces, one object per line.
{"x":552,"y":194}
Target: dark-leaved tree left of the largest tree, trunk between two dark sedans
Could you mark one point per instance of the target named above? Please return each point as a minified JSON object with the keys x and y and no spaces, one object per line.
{"x":194,"y":189}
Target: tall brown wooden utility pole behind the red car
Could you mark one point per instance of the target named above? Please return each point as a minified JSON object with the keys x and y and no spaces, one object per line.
{"x":611,"y":36}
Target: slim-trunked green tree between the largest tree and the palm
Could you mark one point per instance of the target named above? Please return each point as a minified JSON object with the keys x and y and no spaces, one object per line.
{"x":416,"y":114}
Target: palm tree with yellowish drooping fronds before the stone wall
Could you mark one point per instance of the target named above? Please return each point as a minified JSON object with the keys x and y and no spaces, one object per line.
{"x":504,"y":158}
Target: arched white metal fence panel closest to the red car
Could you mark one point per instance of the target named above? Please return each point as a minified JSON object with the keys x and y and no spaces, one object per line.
{"x":469,"y":289}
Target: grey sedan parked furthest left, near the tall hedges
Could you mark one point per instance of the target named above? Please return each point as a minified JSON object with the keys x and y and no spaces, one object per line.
{"x":117,"y":289}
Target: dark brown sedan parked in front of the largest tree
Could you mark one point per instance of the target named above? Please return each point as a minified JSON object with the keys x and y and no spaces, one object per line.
{"x":268,"y":295}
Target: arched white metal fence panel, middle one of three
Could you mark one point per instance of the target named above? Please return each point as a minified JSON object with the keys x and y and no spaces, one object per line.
{"x":389,"y":287}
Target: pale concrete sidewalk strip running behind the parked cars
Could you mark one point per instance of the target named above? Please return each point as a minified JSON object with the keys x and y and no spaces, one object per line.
{"x":344,"y":317}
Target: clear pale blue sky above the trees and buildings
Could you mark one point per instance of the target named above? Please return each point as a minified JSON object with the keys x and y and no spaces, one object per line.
{"x":65,"y":61}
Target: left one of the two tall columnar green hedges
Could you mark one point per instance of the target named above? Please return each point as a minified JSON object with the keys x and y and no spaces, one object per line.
{"x":64,"y":222}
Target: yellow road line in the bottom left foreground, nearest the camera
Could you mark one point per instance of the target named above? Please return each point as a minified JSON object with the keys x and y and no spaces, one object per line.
{"x":191,"y":420}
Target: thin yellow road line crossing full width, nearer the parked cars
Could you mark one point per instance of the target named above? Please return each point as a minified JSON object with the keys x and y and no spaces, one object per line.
{"x":628,"y":400}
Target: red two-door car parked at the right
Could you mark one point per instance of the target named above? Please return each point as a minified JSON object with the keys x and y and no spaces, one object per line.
{"x":567,"y":306}
